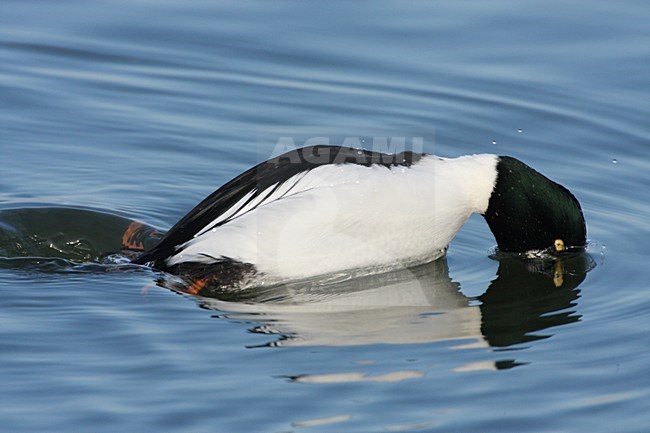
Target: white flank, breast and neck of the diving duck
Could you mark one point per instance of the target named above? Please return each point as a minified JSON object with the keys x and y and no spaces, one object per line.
{"x":348,"y":216}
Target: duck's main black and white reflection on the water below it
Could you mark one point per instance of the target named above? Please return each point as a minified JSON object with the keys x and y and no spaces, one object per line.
{"x":415,"y":305}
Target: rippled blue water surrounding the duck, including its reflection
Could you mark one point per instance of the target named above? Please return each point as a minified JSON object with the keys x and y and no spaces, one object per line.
{"x":140,"y":109}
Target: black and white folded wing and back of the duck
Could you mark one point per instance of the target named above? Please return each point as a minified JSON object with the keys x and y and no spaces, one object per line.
{"x":269,"y":182}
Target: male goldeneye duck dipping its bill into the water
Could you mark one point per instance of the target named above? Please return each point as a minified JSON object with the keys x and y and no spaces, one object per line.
{"x":324,"y":209}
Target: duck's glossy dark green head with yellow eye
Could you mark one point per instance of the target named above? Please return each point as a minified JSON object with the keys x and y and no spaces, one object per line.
{"x":527,"y":211}
